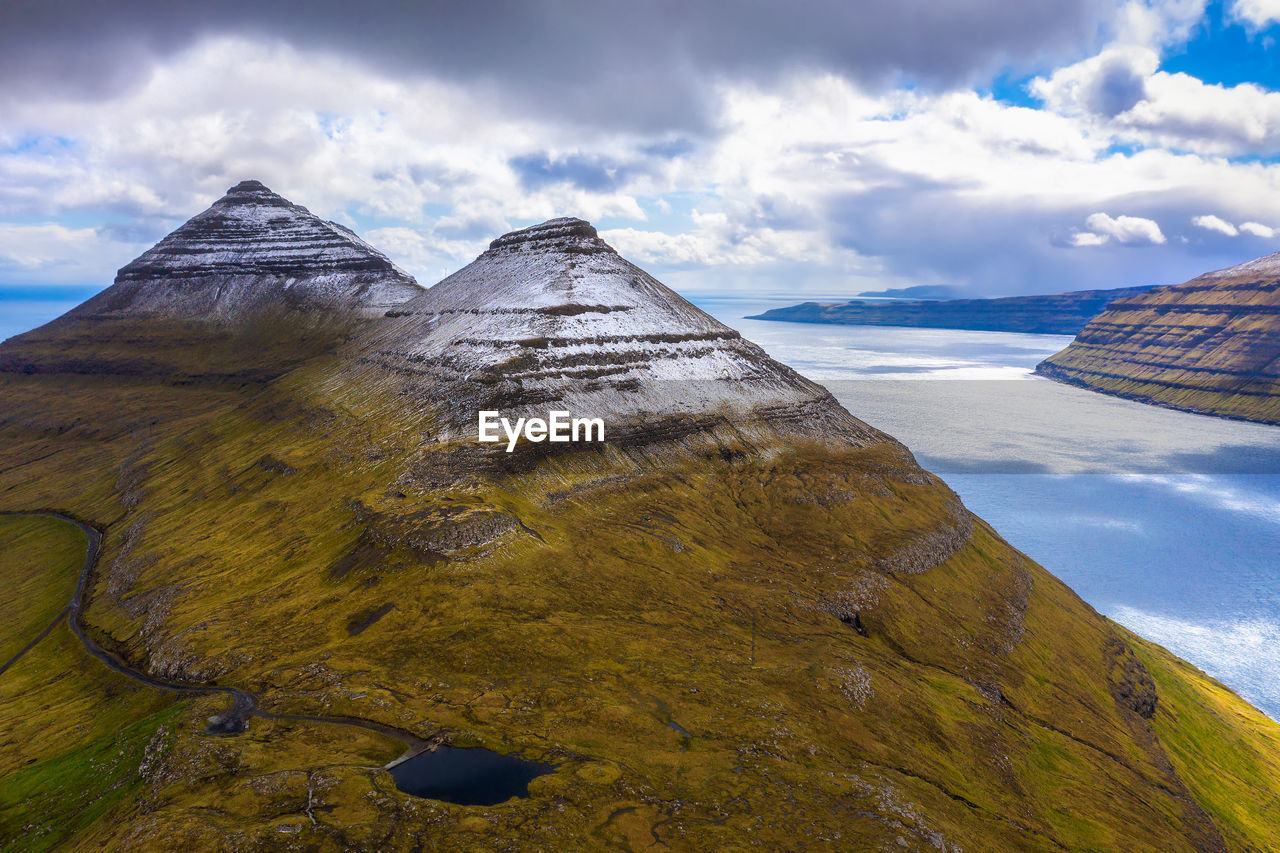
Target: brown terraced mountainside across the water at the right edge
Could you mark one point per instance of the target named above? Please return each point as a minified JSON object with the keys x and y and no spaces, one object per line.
{"x":1209,"y":346}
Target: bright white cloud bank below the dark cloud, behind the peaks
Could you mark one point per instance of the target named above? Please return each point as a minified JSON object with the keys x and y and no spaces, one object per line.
{"x":812,"y":179}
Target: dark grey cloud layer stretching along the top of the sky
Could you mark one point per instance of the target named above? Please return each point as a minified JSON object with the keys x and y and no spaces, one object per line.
{"x":615,"y":62}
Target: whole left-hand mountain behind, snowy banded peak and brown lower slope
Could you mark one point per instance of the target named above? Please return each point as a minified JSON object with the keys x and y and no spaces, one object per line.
{"x":234,"y":299}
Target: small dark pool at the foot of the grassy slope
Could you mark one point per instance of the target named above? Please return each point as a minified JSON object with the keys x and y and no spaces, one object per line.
{"x":468,"y":776}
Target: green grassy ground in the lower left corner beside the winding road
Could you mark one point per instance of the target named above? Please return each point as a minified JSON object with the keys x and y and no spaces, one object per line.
{"x":72,"y":735}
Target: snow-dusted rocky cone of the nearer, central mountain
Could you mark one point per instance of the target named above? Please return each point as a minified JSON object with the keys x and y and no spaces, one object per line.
{"x":552,"y":317}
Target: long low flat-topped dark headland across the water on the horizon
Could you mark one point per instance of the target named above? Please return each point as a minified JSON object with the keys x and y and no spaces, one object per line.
{"x":1044,"y":314}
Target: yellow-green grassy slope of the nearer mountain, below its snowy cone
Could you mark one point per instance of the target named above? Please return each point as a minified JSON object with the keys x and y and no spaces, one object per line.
{"x":720,"y":642}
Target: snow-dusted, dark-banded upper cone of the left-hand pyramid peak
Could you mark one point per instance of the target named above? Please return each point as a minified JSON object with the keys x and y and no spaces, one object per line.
{"x":254,"y":252}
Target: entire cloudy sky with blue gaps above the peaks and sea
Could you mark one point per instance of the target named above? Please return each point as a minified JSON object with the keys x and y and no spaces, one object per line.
{"x":813,"y":148}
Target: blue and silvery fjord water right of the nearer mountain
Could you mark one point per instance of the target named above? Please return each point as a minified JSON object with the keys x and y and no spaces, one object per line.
{"x":1167,"y":522}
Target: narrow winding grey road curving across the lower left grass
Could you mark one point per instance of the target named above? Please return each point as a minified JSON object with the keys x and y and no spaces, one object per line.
{"x":244,"y":705}
